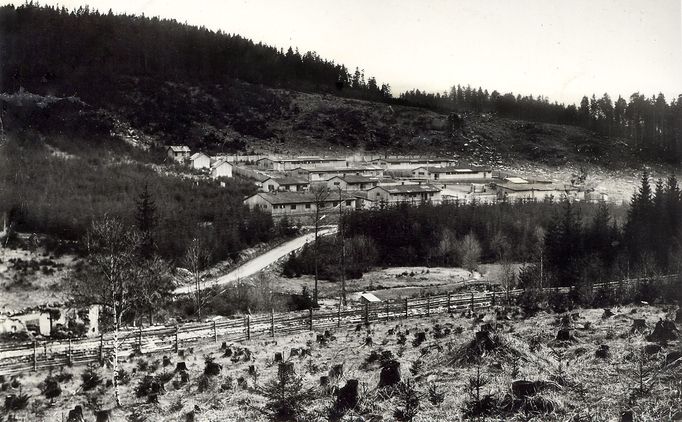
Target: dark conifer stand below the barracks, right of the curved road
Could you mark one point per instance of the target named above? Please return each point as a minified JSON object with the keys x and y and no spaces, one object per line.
{"x":563,"y":243}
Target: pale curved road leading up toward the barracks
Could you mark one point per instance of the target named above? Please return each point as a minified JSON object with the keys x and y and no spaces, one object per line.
{"x":260,"y":262}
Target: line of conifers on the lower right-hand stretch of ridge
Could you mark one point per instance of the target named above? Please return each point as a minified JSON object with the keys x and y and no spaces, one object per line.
{"x":652,"y":125}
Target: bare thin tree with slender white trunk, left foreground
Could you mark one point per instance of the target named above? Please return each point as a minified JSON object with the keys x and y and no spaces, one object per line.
{"x":111,"y":275}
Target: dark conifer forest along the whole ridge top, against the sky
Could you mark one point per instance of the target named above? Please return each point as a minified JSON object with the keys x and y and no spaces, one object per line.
{"x":93,"y":55}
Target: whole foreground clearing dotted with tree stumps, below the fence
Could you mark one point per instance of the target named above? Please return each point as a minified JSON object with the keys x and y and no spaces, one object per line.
{"x":621,"y":363}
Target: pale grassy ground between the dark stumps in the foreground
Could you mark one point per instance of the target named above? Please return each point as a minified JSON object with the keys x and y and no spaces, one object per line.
{"x":577,"y":385}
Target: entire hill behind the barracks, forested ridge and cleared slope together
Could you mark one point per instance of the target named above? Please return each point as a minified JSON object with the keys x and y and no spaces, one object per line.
{"x":172,"y":83}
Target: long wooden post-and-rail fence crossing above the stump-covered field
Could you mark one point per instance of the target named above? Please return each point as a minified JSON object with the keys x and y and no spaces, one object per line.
{"x":37,"y":355}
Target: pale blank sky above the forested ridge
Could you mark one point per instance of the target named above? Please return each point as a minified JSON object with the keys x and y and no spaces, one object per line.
{"x":556,"y":48}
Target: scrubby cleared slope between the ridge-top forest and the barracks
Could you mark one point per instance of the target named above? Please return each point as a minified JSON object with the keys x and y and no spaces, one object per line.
{"x":241,"y":117}
